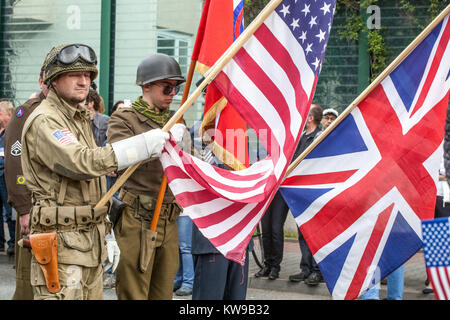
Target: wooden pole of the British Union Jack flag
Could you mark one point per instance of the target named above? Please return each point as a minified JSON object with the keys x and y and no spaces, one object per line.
{"x":369,"y":89}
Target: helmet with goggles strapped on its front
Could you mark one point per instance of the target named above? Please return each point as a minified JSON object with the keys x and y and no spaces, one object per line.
{"x":67,"y":58}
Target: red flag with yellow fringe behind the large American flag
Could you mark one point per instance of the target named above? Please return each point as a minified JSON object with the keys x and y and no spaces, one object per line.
{"x":220,"y":23}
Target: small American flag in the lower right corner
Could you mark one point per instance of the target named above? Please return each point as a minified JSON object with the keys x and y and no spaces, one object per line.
{"x":436,"y":247}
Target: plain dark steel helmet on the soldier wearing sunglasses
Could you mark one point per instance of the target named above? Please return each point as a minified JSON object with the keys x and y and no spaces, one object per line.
{"x":158,"y":66}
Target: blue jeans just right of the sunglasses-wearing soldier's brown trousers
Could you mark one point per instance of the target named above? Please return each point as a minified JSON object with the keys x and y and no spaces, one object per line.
{"x":185,"y":274}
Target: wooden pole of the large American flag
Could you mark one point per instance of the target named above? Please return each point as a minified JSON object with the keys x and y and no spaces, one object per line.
{"x":211,"y":74}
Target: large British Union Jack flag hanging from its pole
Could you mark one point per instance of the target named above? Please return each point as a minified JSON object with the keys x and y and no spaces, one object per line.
{"x":360,"y":195}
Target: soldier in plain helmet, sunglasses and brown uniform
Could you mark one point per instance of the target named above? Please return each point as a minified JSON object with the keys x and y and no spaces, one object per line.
{"x":144,"y":273}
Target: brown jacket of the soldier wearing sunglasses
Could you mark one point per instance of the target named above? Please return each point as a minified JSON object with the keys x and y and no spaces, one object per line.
{"x":146,"y":180}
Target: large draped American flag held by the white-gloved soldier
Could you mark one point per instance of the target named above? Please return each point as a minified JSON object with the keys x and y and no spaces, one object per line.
{"x":270,"y":82}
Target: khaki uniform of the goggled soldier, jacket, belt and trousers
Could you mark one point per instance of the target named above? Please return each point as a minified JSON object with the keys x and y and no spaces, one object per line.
{"x":64,"y":170}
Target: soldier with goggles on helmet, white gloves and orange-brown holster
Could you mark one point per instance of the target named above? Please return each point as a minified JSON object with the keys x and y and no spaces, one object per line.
{"x":64,"y":170}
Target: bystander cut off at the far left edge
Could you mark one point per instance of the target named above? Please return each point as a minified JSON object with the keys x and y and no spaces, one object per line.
{"x":6,"y":111}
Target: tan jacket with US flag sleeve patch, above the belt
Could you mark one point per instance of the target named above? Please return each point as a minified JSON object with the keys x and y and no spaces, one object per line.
{"x":57,"y":141}
